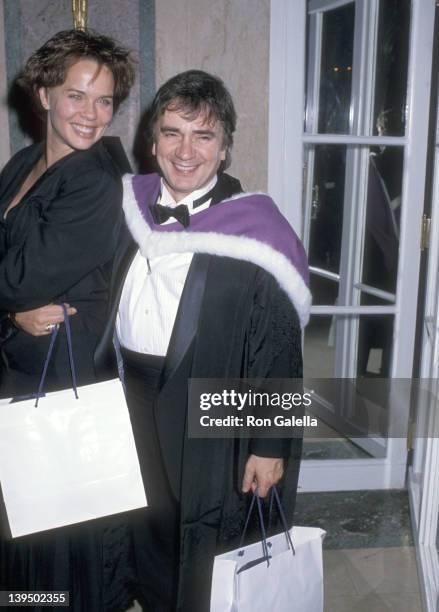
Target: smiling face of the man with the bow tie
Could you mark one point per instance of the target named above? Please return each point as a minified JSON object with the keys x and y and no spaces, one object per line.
{"x":189,"y":151}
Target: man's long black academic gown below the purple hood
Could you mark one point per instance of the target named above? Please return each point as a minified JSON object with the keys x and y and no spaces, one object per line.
{"x":233,"y":321}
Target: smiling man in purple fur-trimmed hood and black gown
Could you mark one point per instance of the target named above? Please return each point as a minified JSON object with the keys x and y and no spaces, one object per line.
{"x":197,"y":294}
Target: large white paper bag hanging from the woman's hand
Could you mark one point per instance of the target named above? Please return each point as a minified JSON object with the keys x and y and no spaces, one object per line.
{"x":68,"y":460}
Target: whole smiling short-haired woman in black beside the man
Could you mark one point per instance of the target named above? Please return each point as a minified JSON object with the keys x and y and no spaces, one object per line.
{"x":60,"y":217}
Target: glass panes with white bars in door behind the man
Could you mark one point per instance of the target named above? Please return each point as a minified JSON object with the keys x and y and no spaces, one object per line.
{"x":355,"y":119}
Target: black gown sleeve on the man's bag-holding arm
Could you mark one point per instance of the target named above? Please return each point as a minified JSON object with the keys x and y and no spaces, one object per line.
{"x":275,"y":349}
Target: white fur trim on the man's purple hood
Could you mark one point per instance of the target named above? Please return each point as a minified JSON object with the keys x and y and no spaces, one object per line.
{"x":153,"y":244}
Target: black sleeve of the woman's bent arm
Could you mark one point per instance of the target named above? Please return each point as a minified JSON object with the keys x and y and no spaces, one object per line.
{"x":74,"y":234}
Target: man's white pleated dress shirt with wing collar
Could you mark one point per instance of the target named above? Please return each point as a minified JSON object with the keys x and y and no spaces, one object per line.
{"x":151,"y":294}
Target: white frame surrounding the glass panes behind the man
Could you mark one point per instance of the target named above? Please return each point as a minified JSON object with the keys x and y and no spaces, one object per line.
{"x":285,"y":181}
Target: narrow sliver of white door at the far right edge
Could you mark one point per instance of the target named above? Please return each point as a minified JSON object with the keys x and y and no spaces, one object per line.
{"x":423,"y":473}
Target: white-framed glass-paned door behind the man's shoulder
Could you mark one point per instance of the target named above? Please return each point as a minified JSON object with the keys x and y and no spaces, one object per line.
{"x":361,"y":168}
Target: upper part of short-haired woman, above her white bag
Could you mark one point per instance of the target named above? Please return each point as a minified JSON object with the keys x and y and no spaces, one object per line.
{"x":60,"y":209}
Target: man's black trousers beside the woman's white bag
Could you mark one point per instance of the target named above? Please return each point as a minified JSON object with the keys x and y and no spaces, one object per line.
{"x":155,"y":529}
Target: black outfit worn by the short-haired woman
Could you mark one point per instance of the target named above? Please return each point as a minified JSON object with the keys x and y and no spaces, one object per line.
{"x":57,"y":245}
